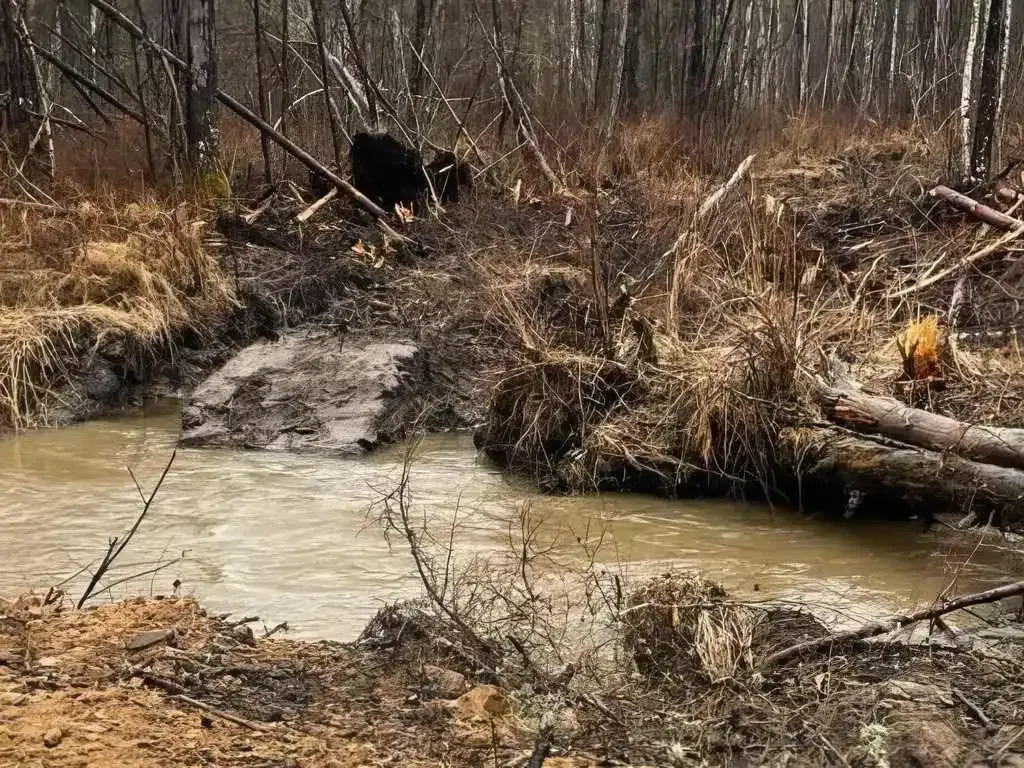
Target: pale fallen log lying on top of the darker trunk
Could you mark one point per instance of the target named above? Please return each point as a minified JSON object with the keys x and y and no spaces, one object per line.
{"x":850,"y":406}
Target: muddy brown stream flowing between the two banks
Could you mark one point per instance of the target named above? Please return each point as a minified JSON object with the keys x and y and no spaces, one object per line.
{"x":287,"y":538}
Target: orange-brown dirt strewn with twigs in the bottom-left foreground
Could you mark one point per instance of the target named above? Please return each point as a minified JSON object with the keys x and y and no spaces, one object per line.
{"x":73,"y":693}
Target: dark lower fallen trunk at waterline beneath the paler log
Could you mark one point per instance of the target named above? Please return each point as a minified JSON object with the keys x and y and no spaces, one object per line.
{"x":892,"y":477}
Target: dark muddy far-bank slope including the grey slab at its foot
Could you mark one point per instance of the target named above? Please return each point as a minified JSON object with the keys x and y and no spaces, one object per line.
{"x":291,"y":284}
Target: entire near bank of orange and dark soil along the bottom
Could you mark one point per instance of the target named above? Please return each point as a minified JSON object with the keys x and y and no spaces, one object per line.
{"x":162,"y":684}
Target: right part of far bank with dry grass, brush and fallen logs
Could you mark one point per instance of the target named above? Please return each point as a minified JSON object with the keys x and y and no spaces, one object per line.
{"x":766,"y":350}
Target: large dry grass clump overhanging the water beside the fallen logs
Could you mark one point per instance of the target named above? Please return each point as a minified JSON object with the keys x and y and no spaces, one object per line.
{"x":680,"y":388}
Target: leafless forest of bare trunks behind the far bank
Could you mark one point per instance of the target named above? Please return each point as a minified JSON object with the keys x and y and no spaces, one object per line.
{"x":105,"y":81}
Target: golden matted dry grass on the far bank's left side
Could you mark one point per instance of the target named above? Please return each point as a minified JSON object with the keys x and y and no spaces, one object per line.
{"x":84,"y":279}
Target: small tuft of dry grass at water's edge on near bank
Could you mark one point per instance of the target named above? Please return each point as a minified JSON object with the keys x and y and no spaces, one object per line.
{"x":682,"y":624}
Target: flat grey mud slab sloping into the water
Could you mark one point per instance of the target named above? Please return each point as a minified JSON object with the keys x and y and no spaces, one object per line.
{"x":310,"y":391}
